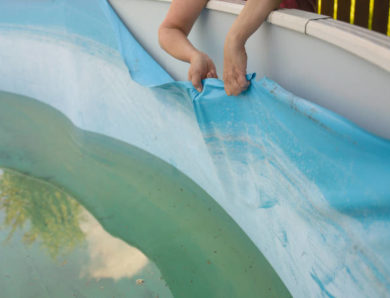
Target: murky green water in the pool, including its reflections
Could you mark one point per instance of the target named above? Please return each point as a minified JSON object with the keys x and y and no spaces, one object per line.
{"x":188,"y":245}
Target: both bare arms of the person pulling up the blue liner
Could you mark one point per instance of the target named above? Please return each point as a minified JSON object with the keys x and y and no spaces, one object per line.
{"x":175,"y":28}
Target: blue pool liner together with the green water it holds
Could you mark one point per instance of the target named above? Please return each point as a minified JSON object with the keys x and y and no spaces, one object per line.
{"x":118,"y":181}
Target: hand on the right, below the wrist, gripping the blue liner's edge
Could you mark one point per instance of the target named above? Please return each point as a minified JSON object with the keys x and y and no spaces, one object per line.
{"x":234,"y":67}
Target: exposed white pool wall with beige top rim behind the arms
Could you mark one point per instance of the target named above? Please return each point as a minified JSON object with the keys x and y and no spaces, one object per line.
{"x":341,"y":67}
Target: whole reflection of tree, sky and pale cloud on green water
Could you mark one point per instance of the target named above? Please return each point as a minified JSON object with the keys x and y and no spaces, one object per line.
{"x":36,"y":214}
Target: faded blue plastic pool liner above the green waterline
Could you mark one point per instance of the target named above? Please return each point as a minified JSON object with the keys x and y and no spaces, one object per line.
{"x":310,"y":189}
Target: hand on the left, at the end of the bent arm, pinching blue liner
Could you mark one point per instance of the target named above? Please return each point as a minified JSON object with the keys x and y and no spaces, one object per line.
{"x":202,"y":67}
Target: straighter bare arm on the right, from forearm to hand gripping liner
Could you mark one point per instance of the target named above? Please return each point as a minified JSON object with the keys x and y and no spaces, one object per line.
{"x":235,"y":59}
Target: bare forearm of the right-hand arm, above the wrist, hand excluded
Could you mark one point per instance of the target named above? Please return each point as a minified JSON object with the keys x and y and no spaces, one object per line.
{"x":251,"y":17}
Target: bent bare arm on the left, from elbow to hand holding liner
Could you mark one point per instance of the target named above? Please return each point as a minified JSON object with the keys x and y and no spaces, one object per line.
{"x":173,"y":34}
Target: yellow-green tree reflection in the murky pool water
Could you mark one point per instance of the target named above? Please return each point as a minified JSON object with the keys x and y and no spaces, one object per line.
{"x":52,"y":216}
